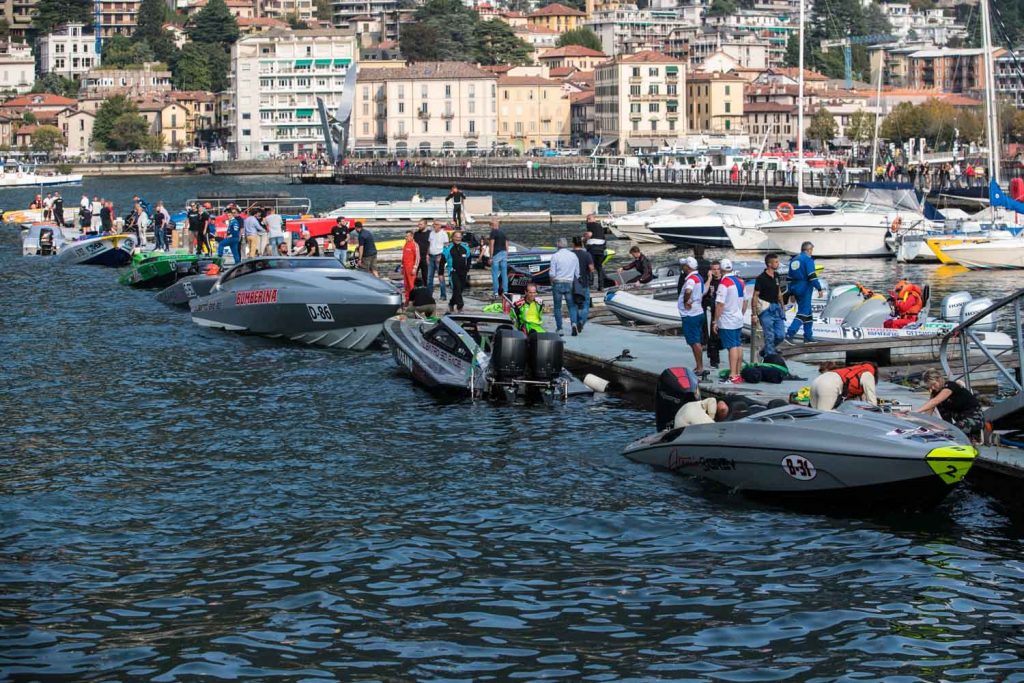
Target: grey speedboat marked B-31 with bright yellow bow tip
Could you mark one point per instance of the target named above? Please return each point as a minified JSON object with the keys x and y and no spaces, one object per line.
{"x":858,"y":456}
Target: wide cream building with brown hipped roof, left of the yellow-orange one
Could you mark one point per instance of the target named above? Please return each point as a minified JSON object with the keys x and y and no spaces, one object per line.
{"x":426,"y":108}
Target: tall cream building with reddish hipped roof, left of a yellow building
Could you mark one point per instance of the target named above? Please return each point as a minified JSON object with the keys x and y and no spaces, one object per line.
{"x":637,"y":102}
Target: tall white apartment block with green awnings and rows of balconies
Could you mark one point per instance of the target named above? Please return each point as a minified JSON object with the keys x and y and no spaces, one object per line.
{"x":276,"y":80}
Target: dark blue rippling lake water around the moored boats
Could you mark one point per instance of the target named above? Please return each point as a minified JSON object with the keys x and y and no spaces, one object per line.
{"x":179,"y":504}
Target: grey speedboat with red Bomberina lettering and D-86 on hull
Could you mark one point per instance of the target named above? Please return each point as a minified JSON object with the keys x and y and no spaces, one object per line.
{"x":312,"y":301}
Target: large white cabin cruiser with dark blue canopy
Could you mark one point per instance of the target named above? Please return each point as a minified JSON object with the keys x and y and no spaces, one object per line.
{"x":864,"y":218}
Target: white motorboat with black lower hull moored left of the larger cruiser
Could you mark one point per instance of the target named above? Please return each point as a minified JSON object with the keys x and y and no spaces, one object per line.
{"x":727,"y":227}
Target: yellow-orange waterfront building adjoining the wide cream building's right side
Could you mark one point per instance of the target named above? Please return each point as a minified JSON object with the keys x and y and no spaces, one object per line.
{"x":533,"y":112}
